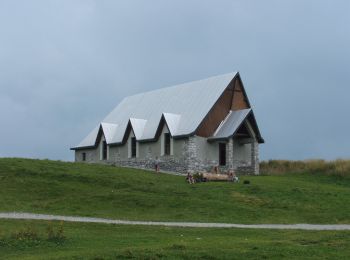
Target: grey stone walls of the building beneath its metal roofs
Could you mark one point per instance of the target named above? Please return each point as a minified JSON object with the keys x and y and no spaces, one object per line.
{"x":194,"y":154}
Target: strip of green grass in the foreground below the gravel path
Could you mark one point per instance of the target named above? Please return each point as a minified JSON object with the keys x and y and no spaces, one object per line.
{"x":101,"y":241}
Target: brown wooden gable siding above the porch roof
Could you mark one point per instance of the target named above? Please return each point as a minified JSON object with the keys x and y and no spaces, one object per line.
{"x":233,"y":98}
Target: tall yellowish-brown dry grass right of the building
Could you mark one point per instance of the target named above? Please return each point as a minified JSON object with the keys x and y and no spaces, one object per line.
{"x":337,"y":168}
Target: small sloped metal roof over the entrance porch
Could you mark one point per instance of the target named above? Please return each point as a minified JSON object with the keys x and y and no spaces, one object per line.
{"x":231,"y":123}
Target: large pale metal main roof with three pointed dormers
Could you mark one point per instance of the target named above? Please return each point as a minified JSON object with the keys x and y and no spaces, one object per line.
{"x":183,"y":107}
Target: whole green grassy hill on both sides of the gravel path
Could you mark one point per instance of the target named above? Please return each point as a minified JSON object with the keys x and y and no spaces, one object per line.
{"x":43,"y":186}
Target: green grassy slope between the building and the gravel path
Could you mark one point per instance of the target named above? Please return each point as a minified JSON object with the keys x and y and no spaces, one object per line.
{"x":105,"y":191}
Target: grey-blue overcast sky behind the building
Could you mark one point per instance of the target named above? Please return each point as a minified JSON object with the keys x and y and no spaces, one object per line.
{"x":64,"y":65}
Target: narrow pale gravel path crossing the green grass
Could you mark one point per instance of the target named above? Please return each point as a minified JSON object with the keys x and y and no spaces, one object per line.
{"x":32,"y":216}
